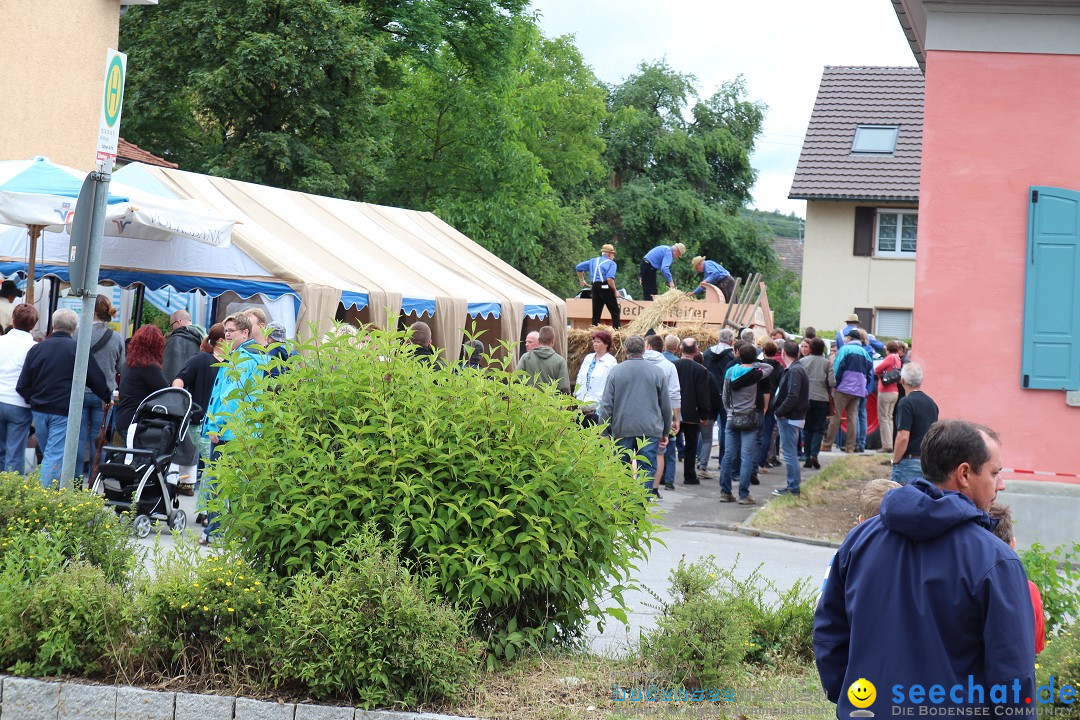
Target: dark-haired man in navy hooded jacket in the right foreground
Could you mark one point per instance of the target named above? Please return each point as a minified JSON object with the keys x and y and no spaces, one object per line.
{"x":923,"y":604}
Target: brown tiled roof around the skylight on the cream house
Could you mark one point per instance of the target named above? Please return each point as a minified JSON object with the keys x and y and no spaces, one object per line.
{"x":848,"y":98}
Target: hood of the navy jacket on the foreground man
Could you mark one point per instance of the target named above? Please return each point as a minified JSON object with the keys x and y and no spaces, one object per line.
{"x":922,"y":511}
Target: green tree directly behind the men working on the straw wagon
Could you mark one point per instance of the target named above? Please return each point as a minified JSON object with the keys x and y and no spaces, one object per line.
{"x":679,"y":180}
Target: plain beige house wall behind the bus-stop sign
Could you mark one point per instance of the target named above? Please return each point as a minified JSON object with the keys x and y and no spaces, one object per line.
{"x":52,"y":57}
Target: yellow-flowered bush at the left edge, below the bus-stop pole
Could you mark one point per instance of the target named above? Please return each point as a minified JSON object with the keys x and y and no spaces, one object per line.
{"x":80,"y":525}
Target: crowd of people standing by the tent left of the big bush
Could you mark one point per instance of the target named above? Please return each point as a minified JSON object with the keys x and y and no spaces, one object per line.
{"x":36,"y":384}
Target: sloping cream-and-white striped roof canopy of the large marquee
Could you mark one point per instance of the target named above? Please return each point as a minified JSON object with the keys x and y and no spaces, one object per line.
{"x":332,"y":251}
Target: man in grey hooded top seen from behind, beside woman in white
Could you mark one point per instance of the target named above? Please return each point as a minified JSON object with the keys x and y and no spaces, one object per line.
{"x":638,"y":406}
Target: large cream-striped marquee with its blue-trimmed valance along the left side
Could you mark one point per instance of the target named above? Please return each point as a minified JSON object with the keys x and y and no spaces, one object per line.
{"x":322,"y":252}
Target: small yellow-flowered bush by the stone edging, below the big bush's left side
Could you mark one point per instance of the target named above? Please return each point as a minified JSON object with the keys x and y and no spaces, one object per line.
{"x":207,"y":617}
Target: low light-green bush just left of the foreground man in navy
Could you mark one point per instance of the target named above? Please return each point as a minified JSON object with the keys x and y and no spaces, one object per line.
{"x":715,"y":622}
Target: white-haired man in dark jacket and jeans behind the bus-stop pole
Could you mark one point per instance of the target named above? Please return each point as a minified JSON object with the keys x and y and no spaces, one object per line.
{"x":46,"y":386}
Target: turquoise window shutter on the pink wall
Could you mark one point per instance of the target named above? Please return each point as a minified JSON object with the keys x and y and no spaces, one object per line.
{"x":1051,"y":356}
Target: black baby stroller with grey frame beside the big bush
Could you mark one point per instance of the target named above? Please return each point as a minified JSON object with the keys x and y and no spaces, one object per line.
{"x":138,"y":478}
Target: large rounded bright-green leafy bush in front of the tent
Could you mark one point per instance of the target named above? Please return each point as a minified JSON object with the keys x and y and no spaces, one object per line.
{"x":491,"y":485}
